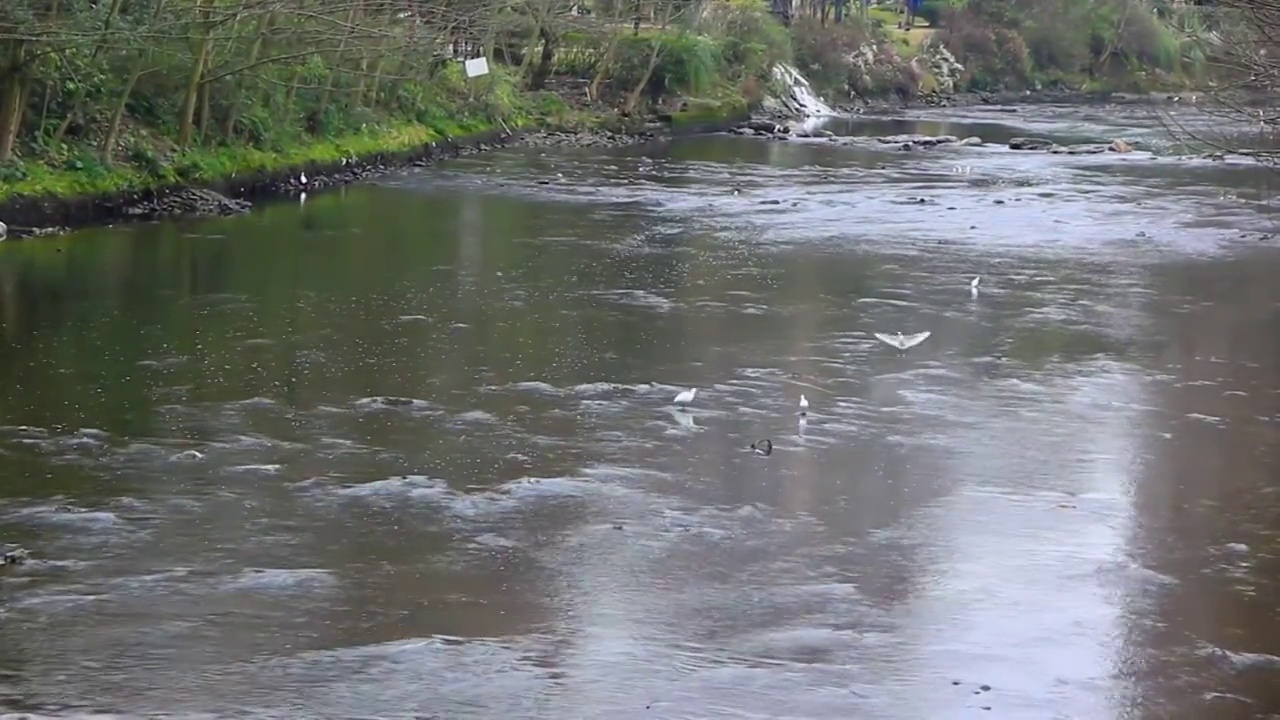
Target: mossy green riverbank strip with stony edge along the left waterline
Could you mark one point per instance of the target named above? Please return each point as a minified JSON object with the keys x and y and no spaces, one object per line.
{"x":230,"y":181}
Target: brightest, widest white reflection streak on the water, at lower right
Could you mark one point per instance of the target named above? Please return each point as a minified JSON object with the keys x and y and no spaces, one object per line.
{"x":1025,"y":596}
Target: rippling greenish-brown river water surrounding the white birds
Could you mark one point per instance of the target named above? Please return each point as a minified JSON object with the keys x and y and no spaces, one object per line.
{"x":408,"y":450}
